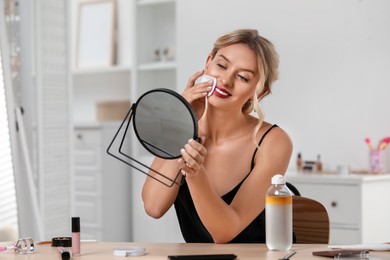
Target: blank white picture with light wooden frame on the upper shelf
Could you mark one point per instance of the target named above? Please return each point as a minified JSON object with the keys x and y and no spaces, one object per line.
{"x":96,"y":34}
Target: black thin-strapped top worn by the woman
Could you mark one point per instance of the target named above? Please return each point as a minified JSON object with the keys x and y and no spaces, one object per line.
{"x":192,"y":228}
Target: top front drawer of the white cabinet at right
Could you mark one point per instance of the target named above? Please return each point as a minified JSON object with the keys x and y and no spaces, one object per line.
{"x":343,"y":202}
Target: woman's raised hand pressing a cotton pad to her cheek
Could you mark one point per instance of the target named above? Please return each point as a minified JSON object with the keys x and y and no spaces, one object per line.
{"x":195,"y":94}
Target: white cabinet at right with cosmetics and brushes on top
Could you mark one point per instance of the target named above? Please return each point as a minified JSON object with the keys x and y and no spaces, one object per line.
{"x":356,"y":204}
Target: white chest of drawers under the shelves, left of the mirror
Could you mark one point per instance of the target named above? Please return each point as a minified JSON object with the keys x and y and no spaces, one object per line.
{"x":101,"y":193}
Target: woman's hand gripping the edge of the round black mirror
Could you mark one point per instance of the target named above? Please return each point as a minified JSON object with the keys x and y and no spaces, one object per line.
{"x":193,"y":156}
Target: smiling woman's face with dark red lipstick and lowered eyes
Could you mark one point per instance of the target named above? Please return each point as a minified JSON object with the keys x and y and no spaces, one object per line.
{"x":237,"y":73}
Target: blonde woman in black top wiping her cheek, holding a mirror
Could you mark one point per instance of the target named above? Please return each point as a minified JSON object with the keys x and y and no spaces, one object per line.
{"x":229,"y":171}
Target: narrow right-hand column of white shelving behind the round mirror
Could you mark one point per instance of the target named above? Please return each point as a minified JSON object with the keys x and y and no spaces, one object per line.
{"x":154,"y":29}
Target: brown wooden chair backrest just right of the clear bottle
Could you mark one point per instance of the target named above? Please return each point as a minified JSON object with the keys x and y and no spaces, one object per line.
{"x":310,"y":221}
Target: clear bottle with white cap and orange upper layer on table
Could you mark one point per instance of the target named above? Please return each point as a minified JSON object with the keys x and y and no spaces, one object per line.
{"x":278,"y":215}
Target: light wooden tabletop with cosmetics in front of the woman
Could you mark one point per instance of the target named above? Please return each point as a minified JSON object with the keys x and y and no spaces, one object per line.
{"x":104,"y":250}
